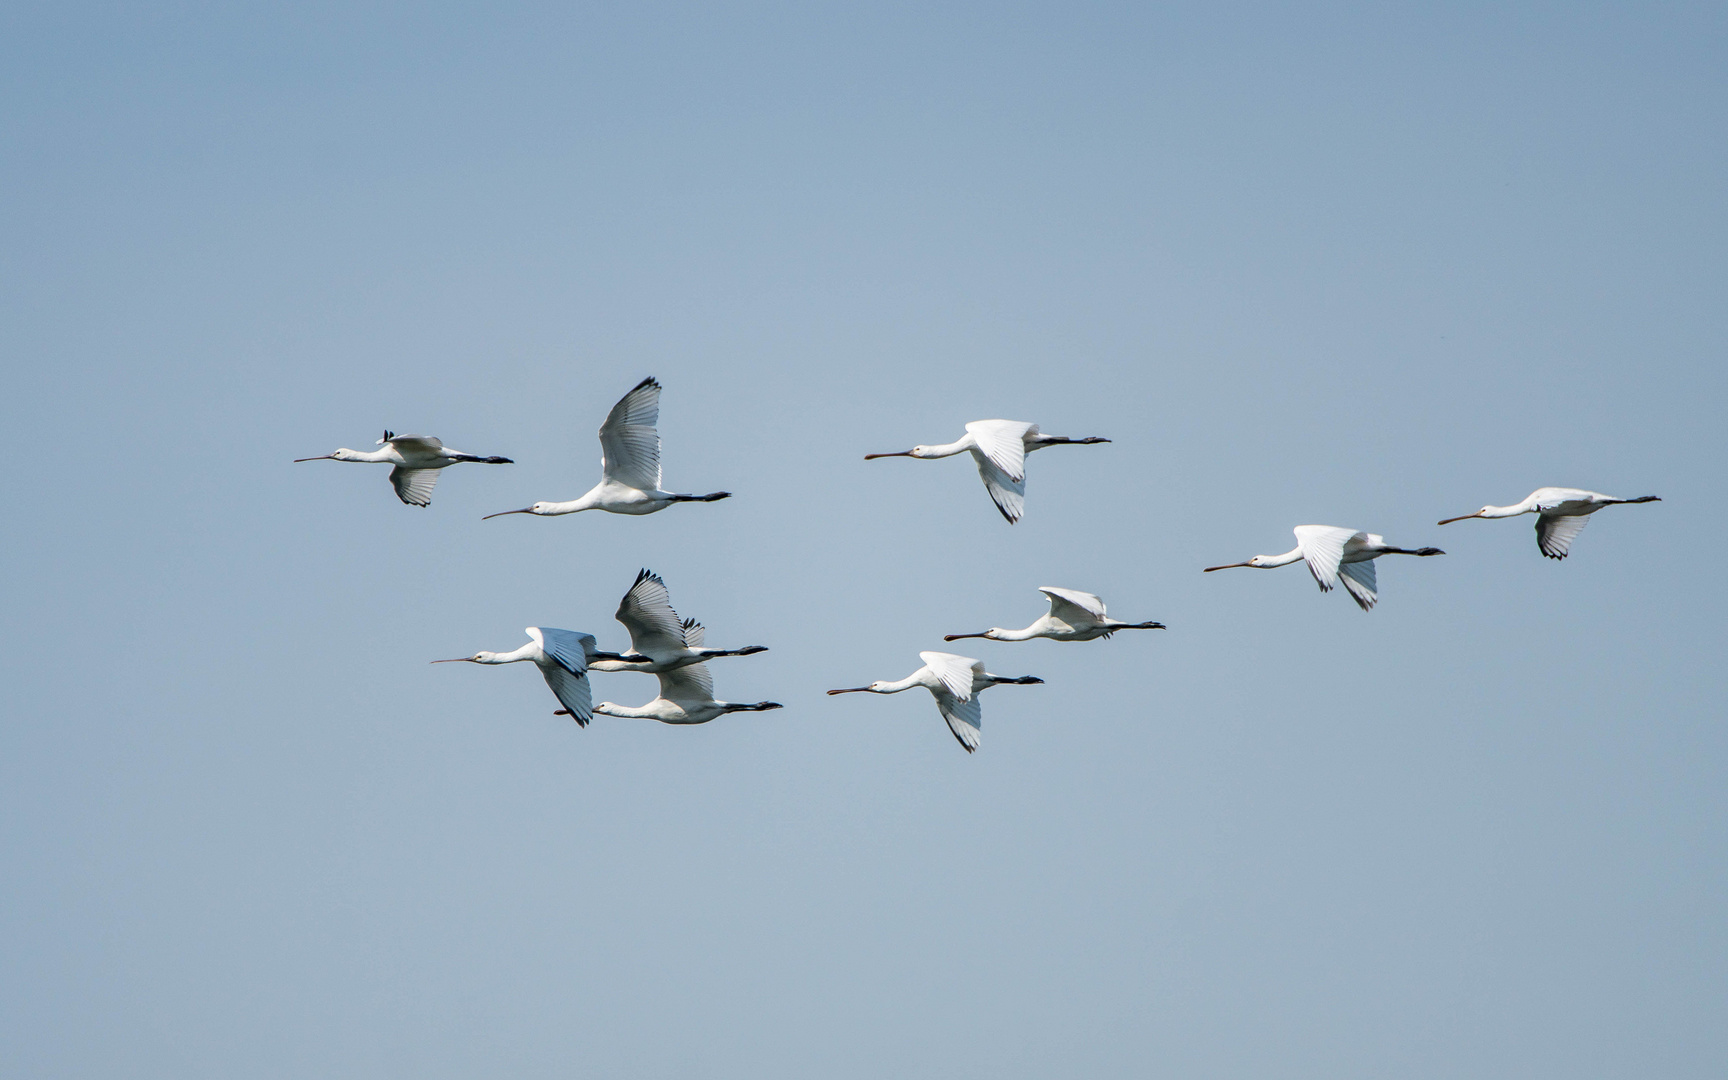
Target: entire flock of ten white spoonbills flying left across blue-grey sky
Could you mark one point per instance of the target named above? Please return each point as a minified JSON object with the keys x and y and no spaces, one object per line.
{"x":675,"y":652}
